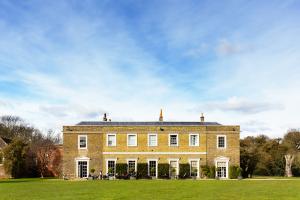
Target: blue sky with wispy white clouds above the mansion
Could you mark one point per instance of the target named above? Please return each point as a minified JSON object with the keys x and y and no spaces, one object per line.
{"x":238,"y":62}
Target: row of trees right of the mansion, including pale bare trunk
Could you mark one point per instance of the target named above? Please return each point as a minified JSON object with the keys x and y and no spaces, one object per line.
{"x":265,"y":156}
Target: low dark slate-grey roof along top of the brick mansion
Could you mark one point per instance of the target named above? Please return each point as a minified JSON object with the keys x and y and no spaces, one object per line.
{"x":102,"y":123}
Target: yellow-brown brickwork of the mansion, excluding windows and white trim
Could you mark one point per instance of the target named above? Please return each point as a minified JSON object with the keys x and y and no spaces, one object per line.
{"x":97,"y":145}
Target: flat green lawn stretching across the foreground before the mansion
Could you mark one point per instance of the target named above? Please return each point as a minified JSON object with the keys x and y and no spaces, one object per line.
{"x":149,"y":189}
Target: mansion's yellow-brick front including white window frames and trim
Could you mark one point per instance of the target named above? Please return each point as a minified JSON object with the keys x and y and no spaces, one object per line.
{"x":97,"y":152}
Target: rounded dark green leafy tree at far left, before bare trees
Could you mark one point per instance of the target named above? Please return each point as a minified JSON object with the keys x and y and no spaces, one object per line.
{"x":15,"y":154}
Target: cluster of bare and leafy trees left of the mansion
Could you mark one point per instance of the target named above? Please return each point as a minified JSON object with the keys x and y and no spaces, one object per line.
{"x":29,"y":152}
